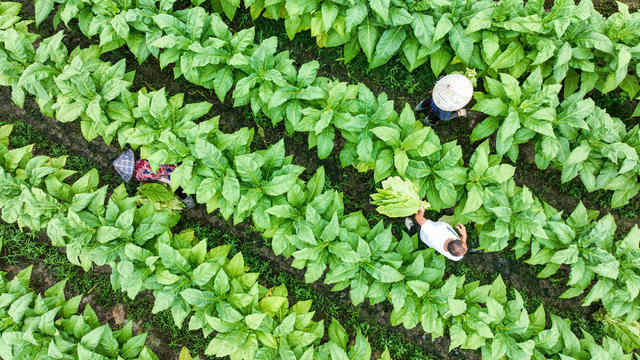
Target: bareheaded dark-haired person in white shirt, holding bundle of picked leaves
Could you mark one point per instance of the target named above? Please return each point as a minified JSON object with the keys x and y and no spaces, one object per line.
{"x":439,"y":235}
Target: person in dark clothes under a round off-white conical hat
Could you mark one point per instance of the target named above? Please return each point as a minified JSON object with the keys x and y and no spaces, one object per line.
{"x":449,"y":96}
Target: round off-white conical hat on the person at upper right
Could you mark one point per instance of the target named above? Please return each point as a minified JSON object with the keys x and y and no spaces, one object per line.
{"x":452,"y":92}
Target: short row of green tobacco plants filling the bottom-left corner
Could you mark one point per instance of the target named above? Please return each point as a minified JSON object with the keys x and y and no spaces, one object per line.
{"x":34,"y":326}
